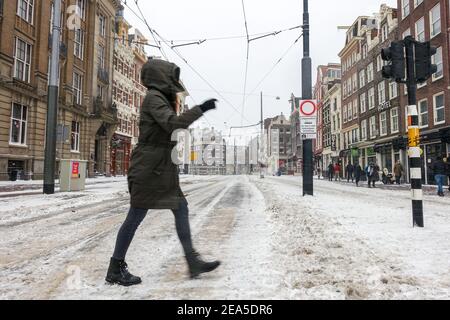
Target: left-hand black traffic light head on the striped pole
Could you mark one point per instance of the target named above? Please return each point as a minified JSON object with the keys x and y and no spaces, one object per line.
{"x":395,"y":54}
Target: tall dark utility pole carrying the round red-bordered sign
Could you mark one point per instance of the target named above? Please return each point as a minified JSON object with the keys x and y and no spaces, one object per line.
{"x":308,"y":183}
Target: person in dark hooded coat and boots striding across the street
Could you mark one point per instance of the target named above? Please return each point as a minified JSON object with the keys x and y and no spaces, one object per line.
{"x":153,"y":180}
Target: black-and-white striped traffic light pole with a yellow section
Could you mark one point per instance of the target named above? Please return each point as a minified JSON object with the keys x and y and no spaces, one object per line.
{"x":415,"y":152}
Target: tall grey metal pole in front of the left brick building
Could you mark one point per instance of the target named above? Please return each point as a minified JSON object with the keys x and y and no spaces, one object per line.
{"x":52,"y":109}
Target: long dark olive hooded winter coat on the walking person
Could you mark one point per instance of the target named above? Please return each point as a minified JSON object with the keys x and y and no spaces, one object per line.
{"x":153,"y":179}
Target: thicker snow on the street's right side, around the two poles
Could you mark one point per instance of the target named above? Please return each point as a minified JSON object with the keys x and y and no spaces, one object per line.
{"x":359,"y":243}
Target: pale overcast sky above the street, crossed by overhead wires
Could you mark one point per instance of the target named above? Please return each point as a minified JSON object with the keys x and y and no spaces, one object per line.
{"x":222,"y":62}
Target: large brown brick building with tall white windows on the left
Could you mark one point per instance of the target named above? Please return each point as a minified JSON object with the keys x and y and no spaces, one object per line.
{"x":85,"y":107}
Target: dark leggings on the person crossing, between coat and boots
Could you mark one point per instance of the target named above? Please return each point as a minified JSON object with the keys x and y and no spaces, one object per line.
{"x":135,"y":218}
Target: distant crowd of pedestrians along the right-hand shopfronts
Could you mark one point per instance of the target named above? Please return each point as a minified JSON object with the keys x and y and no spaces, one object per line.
{"x":372,"y":173}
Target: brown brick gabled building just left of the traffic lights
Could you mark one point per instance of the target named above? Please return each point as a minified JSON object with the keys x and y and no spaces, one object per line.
{"x":372,"y":114}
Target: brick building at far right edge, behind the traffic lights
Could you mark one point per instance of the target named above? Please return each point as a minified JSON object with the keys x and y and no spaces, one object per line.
{"x":429,"y":21}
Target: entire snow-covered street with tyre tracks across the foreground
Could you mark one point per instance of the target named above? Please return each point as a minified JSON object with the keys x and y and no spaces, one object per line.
{"x":344,"y":243}
